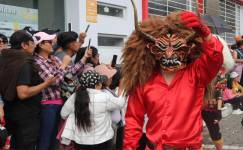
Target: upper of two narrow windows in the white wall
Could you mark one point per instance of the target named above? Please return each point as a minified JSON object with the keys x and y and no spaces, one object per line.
{"x":110,"y":10}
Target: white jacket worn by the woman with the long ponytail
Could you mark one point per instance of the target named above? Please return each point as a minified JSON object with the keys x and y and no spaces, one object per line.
{"x":100,"y":106}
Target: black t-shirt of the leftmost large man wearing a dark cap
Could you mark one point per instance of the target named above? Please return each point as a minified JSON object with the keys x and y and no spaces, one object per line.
{"x":30,"y":107}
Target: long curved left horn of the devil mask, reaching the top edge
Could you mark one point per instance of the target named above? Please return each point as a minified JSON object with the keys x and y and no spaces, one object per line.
{"x":146,"y":36}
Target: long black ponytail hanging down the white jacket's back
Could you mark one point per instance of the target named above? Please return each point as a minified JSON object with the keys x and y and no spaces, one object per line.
{"x":81,"y":110}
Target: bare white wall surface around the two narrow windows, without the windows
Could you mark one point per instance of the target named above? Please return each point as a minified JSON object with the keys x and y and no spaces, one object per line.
{"x":76,"y":13}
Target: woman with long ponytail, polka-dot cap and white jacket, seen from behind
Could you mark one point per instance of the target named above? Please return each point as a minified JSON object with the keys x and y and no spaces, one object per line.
{"x":88,"y":116}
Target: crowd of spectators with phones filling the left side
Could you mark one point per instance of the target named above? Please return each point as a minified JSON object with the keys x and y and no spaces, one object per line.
{"x":52,"y":84}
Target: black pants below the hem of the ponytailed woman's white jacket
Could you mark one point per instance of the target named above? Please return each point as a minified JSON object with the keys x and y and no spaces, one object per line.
{"x":103,"y":146}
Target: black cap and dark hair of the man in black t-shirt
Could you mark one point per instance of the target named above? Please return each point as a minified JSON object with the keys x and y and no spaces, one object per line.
{"x":19,"y":37}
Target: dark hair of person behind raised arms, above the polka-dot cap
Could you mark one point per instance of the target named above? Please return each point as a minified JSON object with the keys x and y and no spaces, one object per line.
{"x":81,"y":52}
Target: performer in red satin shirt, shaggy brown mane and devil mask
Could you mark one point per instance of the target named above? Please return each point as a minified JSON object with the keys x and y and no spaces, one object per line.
{"x":174,"y":111}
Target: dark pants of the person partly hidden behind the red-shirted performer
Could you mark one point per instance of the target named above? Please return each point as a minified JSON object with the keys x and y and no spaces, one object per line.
{"x":214,"y":129}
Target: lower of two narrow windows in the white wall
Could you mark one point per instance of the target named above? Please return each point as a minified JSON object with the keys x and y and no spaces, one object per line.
{"x":110,"y":40}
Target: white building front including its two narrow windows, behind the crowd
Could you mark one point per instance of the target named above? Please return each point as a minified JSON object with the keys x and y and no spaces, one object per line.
{"x":113,"y":25}
